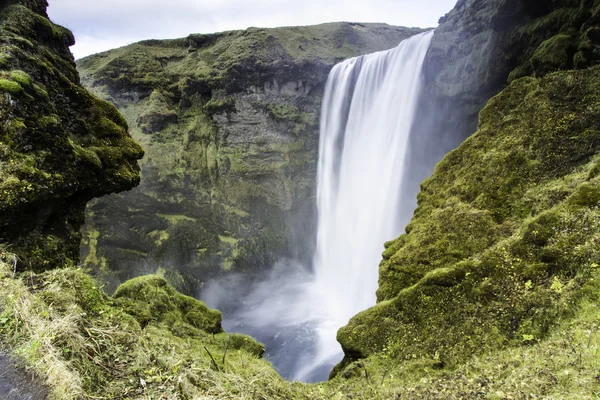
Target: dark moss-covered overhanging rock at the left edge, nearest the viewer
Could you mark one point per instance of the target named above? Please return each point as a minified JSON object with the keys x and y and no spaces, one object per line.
{"x":60,"y":146}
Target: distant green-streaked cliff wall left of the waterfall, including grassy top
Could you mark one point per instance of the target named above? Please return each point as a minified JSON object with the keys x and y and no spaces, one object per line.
{"x":229,"y":123}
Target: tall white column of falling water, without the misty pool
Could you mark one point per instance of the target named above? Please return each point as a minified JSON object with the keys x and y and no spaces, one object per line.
{"x":366,"y":119}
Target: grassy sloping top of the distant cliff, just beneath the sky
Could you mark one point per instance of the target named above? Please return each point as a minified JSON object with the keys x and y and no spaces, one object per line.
{"x":232,"y":59}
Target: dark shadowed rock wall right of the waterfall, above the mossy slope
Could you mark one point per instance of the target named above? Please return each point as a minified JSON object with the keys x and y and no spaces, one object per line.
{"x":479,"y":47}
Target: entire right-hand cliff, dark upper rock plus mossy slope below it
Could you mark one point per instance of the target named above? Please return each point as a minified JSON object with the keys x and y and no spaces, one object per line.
{"x":504,"y":243}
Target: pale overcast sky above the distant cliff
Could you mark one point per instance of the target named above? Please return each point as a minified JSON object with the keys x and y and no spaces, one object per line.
{"x":101,"y":25}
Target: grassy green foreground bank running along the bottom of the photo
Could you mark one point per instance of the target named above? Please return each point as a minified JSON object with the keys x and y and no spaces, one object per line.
{"x":87,"y":345}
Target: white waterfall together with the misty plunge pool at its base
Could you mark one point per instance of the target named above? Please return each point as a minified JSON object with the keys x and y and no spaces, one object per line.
{"x":367,"y":115}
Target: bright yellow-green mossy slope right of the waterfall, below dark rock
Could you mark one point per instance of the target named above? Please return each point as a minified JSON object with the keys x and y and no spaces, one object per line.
{"x":505,"y":241}
